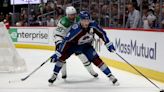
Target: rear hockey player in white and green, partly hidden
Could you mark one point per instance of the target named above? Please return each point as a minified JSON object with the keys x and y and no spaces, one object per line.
{"x":61,"y":31}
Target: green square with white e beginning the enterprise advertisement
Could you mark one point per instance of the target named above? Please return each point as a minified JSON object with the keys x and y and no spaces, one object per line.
{"x":14,"y":34}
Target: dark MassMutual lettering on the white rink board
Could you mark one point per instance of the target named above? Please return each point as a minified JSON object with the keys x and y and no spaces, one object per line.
{"x":136,"y":48}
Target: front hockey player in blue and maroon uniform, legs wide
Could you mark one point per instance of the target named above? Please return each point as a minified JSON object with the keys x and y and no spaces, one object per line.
{"x":78,"y":41}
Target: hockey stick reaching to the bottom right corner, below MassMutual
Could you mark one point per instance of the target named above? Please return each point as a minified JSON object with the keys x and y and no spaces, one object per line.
{"x":161,"y":90}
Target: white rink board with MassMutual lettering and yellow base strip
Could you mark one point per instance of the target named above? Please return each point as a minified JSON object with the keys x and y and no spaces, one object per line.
{"x":143,"y":49}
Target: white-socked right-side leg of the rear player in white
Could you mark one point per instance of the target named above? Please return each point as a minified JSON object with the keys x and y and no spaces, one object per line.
{"x":87,"y":64}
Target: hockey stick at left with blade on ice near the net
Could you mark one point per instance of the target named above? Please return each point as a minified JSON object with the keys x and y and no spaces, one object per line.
{"x":23,"y":79}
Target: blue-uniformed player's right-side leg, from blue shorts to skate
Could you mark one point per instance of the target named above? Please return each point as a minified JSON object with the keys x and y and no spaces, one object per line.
{"x":93,"y":56}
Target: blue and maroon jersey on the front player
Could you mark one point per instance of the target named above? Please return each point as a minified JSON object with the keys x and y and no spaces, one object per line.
{"x":79,"y":36}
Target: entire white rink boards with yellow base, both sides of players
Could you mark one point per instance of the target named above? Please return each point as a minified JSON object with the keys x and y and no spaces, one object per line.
{"x":141,"y":48}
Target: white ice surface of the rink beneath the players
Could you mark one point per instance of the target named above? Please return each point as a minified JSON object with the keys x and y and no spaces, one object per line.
{"x":78,"y":80}
